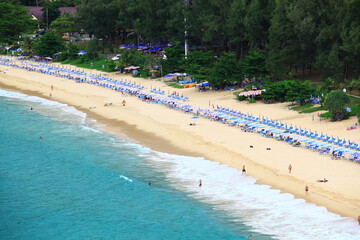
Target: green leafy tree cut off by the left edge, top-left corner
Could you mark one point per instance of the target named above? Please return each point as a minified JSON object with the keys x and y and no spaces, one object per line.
{"x":13,"y":22}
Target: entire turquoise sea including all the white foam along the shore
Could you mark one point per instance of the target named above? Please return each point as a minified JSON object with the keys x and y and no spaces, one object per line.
{"x":80,"y":183}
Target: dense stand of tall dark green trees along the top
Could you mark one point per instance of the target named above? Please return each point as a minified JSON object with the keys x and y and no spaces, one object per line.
{"x":295,"y":36}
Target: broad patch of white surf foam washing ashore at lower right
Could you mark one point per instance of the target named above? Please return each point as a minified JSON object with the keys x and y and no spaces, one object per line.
{"x":266,"y":210}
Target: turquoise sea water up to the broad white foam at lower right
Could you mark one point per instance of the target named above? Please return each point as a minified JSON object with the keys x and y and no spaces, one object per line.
{"x":79,"y":183}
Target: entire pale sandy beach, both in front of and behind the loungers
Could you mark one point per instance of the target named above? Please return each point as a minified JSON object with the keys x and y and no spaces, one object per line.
{"x":167,"y":130}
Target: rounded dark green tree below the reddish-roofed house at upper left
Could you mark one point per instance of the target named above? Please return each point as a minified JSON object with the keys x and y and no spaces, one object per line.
{"x":48,"y":45}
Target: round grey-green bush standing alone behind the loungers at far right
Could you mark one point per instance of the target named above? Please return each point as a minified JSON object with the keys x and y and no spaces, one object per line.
{"x":335,"y":103}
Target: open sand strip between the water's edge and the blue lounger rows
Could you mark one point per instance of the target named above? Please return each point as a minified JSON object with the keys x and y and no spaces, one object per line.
{"x":170,"y":133}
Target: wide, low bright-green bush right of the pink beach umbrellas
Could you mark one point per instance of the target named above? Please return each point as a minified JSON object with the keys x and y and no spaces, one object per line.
{"x":288,"y":90}
